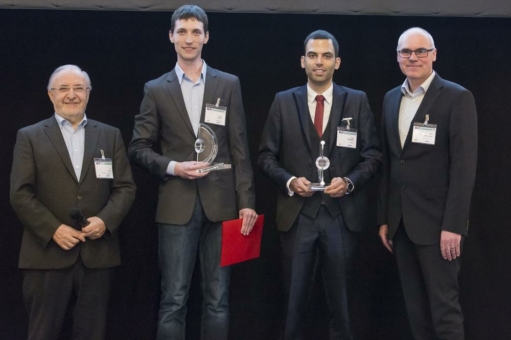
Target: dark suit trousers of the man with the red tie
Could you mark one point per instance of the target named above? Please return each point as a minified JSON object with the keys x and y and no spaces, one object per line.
{"x":327,"y":240}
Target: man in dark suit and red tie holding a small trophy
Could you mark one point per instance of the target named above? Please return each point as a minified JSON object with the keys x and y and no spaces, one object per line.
{"x":316,"y":222}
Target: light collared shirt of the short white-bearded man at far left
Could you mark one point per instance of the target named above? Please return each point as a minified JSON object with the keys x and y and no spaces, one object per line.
{"x":75,"y":141}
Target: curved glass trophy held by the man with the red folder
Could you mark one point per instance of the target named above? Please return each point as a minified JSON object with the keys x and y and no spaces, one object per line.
{"x":206,"y":148}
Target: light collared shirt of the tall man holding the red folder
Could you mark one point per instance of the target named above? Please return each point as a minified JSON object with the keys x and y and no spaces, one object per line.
{"x":193,"y":95}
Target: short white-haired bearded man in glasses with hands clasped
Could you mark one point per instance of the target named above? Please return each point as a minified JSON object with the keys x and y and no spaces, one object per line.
{"x":55,"y":175}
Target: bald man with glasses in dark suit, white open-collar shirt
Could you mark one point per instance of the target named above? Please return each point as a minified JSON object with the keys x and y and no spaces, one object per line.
{"x":429,"y":129}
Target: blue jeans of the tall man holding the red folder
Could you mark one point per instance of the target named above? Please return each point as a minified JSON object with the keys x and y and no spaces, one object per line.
{"x":178,"y":247}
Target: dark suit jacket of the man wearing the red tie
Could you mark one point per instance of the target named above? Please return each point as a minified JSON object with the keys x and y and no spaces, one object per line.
{"x":286,"y":151}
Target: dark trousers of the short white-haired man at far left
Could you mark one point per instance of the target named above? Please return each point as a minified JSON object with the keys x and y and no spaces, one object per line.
{"x":49,"y":293}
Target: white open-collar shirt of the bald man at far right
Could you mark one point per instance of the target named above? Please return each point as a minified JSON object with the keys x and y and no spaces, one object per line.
{"x":410,"y":103}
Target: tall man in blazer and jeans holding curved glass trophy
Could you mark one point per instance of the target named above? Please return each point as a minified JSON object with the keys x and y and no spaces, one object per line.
{"x":191,"y":204}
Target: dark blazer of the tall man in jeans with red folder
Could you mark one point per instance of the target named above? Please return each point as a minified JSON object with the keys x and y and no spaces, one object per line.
{"x":164,"y":119}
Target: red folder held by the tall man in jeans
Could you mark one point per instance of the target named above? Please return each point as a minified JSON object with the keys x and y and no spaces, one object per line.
{"x":237,"y":247}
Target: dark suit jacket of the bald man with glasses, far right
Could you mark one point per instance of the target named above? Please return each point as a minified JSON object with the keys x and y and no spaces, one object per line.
{"x":430,"y":186}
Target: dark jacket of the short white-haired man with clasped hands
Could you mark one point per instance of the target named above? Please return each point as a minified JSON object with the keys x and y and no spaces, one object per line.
{"x":44,"y":190}
